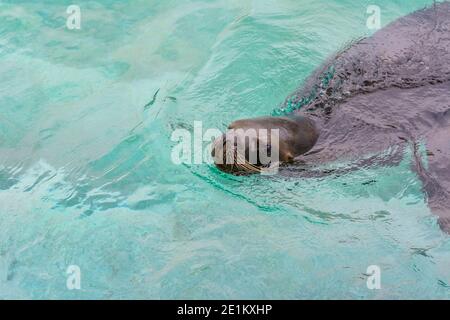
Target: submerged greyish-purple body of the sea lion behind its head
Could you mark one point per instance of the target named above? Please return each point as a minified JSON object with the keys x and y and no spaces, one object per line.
{"x":390,"y":91}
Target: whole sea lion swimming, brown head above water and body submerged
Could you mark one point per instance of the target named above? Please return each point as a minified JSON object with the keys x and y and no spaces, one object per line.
{"x":367,"y":103}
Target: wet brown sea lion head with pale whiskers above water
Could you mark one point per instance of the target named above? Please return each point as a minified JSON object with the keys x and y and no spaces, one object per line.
{"x":250,"y":145}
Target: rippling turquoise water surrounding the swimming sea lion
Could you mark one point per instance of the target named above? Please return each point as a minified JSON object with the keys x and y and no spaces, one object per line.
{"x":86,"y":176}
